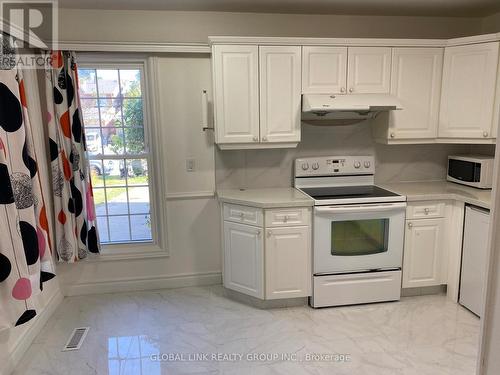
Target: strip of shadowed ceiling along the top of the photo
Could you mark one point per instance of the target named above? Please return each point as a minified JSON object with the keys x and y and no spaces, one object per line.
{"x":461,"y":8}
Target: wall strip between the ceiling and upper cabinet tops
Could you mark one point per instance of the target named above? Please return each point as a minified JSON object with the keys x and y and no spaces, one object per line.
{"x":174,"y":26}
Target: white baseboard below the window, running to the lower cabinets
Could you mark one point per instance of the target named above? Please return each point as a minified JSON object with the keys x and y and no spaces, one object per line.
{"x":143,"y":283}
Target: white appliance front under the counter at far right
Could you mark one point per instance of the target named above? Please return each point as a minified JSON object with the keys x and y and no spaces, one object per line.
{"x":474,"y":258}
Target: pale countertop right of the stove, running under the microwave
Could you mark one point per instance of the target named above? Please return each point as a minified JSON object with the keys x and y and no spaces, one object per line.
{"x":440,"y":190}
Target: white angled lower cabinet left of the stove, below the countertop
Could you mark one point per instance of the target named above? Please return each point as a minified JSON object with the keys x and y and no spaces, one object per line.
{"x":269,"y":260}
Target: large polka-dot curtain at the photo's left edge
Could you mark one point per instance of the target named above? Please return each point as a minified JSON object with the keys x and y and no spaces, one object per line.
{"x":25,"y":252}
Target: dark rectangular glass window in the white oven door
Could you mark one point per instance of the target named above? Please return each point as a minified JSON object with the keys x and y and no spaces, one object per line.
{"x":359,"y":237}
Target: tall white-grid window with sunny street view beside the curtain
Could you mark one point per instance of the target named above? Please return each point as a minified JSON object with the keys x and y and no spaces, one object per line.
{"x":113,"y":107}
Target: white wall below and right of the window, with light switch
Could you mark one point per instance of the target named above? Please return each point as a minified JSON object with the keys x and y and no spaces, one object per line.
{"x":192,"y":222}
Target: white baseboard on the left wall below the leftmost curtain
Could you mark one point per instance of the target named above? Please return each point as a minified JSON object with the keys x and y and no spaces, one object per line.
{"x":28,"y":336}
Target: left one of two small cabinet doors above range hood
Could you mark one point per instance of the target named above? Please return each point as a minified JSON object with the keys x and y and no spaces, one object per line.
{"x":324,"y":70}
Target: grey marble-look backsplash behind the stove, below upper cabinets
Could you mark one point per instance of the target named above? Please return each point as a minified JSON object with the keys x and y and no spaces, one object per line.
{"x":394,"y":163}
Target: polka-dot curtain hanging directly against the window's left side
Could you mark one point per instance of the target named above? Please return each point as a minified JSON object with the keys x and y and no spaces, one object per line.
{"x":75,"y":227}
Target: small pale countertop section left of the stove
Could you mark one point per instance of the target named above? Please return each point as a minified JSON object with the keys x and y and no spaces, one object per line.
{"x":265,"y":198}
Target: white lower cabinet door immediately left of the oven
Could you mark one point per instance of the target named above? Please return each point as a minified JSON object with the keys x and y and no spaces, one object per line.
{"x":288,"y":262}
